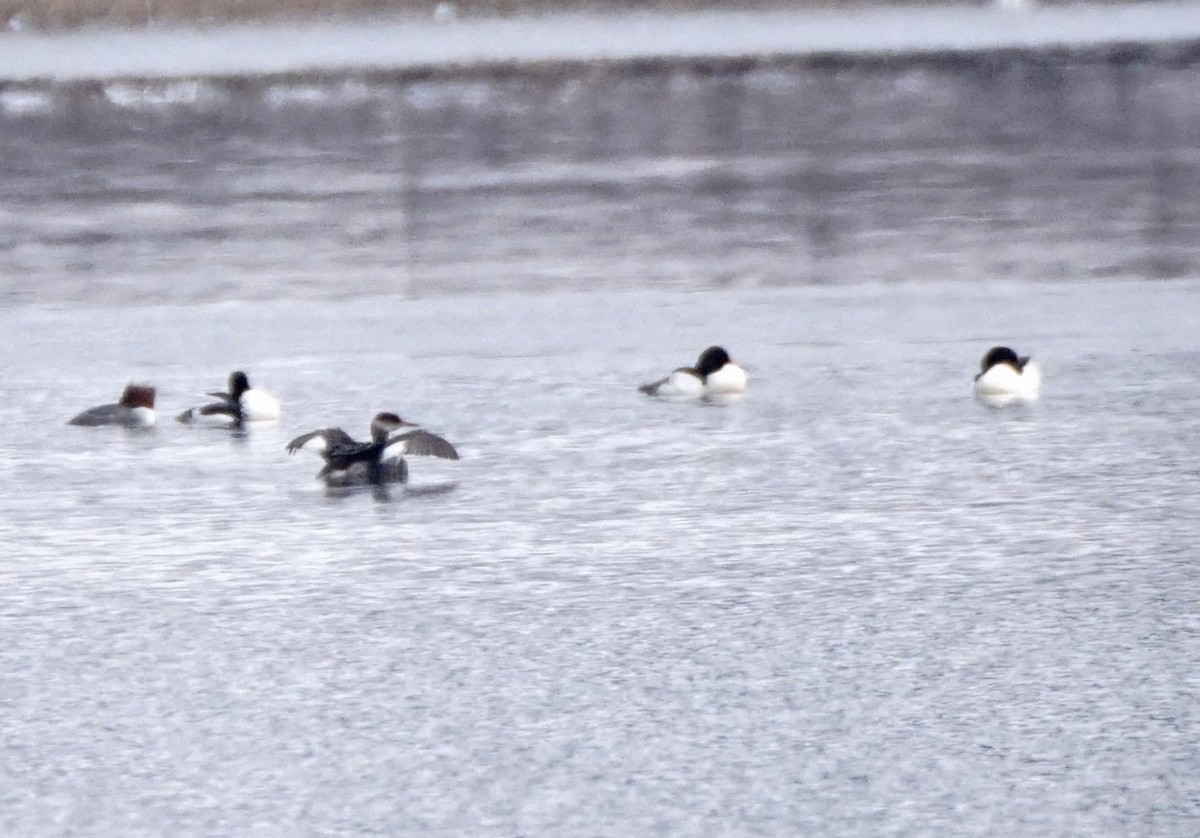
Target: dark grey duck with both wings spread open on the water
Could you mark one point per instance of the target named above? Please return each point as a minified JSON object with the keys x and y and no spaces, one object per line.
{"x":350,"y":463}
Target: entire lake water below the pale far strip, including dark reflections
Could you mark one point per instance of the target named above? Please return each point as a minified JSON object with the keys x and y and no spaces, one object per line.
{"x":854,"y":603}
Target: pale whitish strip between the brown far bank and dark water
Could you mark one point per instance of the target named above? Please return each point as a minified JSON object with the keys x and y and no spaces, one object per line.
{"x":568,"y":45}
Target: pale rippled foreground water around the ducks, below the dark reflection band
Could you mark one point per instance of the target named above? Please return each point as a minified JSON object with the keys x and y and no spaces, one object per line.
{"x":855,"y":602}
